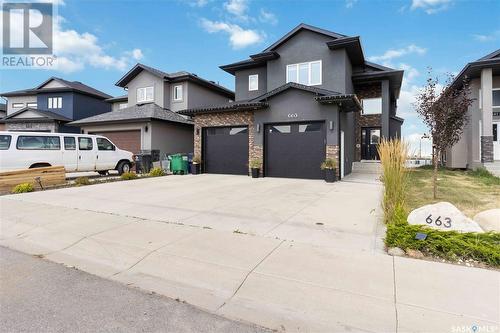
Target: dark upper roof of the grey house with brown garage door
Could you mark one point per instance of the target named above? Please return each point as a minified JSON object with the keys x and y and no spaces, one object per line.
{"x":172,"y":77}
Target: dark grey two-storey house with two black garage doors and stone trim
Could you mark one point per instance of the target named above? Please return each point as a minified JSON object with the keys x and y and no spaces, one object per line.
{"x":309,"y":96}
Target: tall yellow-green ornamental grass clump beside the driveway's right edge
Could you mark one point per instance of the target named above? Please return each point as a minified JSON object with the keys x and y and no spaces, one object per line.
{"x":394,"y":175}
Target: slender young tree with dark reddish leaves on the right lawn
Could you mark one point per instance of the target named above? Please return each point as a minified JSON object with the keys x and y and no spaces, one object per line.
{"x":445,"y":113}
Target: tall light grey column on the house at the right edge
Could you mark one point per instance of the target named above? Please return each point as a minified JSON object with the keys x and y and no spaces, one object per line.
{"x":487,"y":115}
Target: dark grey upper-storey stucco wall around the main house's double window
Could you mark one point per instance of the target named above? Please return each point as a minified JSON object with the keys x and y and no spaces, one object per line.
{"x":308,"y":46}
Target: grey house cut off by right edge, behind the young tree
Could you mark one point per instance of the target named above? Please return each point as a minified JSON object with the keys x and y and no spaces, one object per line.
{"x":479,"y":145}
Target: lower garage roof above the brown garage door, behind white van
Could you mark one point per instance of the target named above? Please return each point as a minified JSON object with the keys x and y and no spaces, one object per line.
{"x":143,"y":112}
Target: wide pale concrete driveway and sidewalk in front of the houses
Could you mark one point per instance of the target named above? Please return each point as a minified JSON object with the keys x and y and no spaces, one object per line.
{"x":290,"y":255}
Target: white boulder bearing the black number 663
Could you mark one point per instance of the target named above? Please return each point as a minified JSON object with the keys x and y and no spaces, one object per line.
{"x":443,"y":216}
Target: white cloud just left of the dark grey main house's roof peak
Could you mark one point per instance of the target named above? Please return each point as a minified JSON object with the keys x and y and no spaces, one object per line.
{"x":238,"y":37}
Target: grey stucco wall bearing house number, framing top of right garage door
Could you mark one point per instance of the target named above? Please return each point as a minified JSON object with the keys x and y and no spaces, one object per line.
{"x":302,"y":104}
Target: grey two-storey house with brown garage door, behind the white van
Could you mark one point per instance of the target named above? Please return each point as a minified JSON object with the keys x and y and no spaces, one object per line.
{"x":147,"y":117}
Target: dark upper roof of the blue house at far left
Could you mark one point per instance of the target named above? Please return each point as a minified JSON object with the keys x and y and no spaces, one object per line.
{"x":75,"y":86}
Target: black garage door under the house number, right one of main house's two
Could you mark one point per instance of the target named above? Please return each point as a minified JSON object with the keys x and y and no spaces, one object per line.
{"x":295,"y":150}
